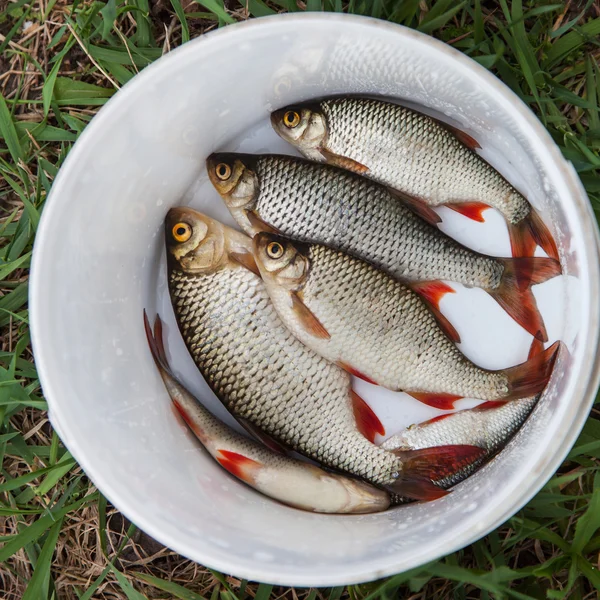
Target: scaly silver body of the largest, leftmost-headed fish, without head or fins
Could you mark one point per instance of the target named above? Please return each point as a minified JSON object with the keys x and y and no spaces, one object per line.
{"x":262,"y":373}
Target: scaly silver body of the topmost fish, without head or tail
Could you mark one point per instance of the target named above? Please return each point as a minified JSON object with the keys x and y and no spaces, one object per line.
{"x":431,"y":155}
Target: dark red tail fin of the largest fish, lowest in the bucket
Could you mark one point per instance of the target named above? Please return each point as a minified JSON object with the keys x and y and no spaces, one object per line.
{"x":420,"y":467}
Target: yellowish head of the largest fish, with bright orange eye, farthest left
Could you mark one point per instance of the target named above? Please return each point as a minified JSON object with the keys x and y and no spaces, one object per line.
{"x":195,"y":243}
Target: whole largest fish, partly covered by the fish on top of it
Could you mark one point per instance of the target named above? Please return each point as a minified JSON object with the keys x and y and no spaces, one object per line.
{"x":267,"y":378}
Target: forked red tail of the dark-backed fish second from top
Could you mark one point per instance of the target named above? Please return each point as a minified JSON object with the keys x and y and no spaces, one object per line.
{"x":514,"y":293}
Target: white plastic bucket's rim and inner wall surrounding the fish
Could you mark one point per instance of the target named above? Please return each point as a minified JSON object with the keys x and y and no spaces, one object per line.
{"x":96,"y":267}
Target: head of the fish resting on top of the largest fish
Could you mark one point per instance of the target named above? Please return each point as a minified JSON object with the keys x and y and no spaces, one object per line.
{"x":281,"y":261}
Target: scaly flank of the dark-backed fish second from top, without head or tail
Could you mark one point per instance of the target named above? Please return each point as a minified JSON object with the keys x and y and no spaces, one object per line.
{"x":323,"y":204}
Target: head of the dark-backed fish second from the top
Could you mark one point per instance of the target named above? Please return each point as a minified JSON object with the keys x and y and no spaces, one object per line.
{"x":234,"y":177}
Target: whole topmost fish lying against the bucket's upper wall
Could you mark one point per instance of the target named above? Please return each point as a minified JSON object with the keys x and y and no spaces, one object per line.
{"x":433,"y":162}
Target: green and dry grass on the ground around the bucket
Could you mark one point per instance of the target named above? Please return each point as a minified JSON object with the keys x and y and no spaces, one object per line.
{"x":59,"y":63}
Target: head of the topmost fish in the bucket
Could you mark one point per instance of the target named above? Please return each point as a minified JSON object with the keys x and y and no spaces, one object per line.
{"x":304,"y":126}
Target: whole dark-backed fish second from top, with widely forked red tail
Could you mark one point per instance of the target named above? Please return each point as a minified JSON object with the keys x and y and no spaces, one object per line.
{"x":323,"y":204}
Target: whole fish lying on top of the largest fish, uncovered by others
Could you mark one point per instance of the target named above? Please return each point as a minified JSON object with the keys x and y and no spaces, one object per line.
{"x":375,"y":327}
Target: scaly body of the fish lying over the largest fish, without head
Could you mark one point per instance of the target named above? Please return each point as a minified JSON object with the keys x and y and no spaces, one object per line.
{"x":392,"y":331}
